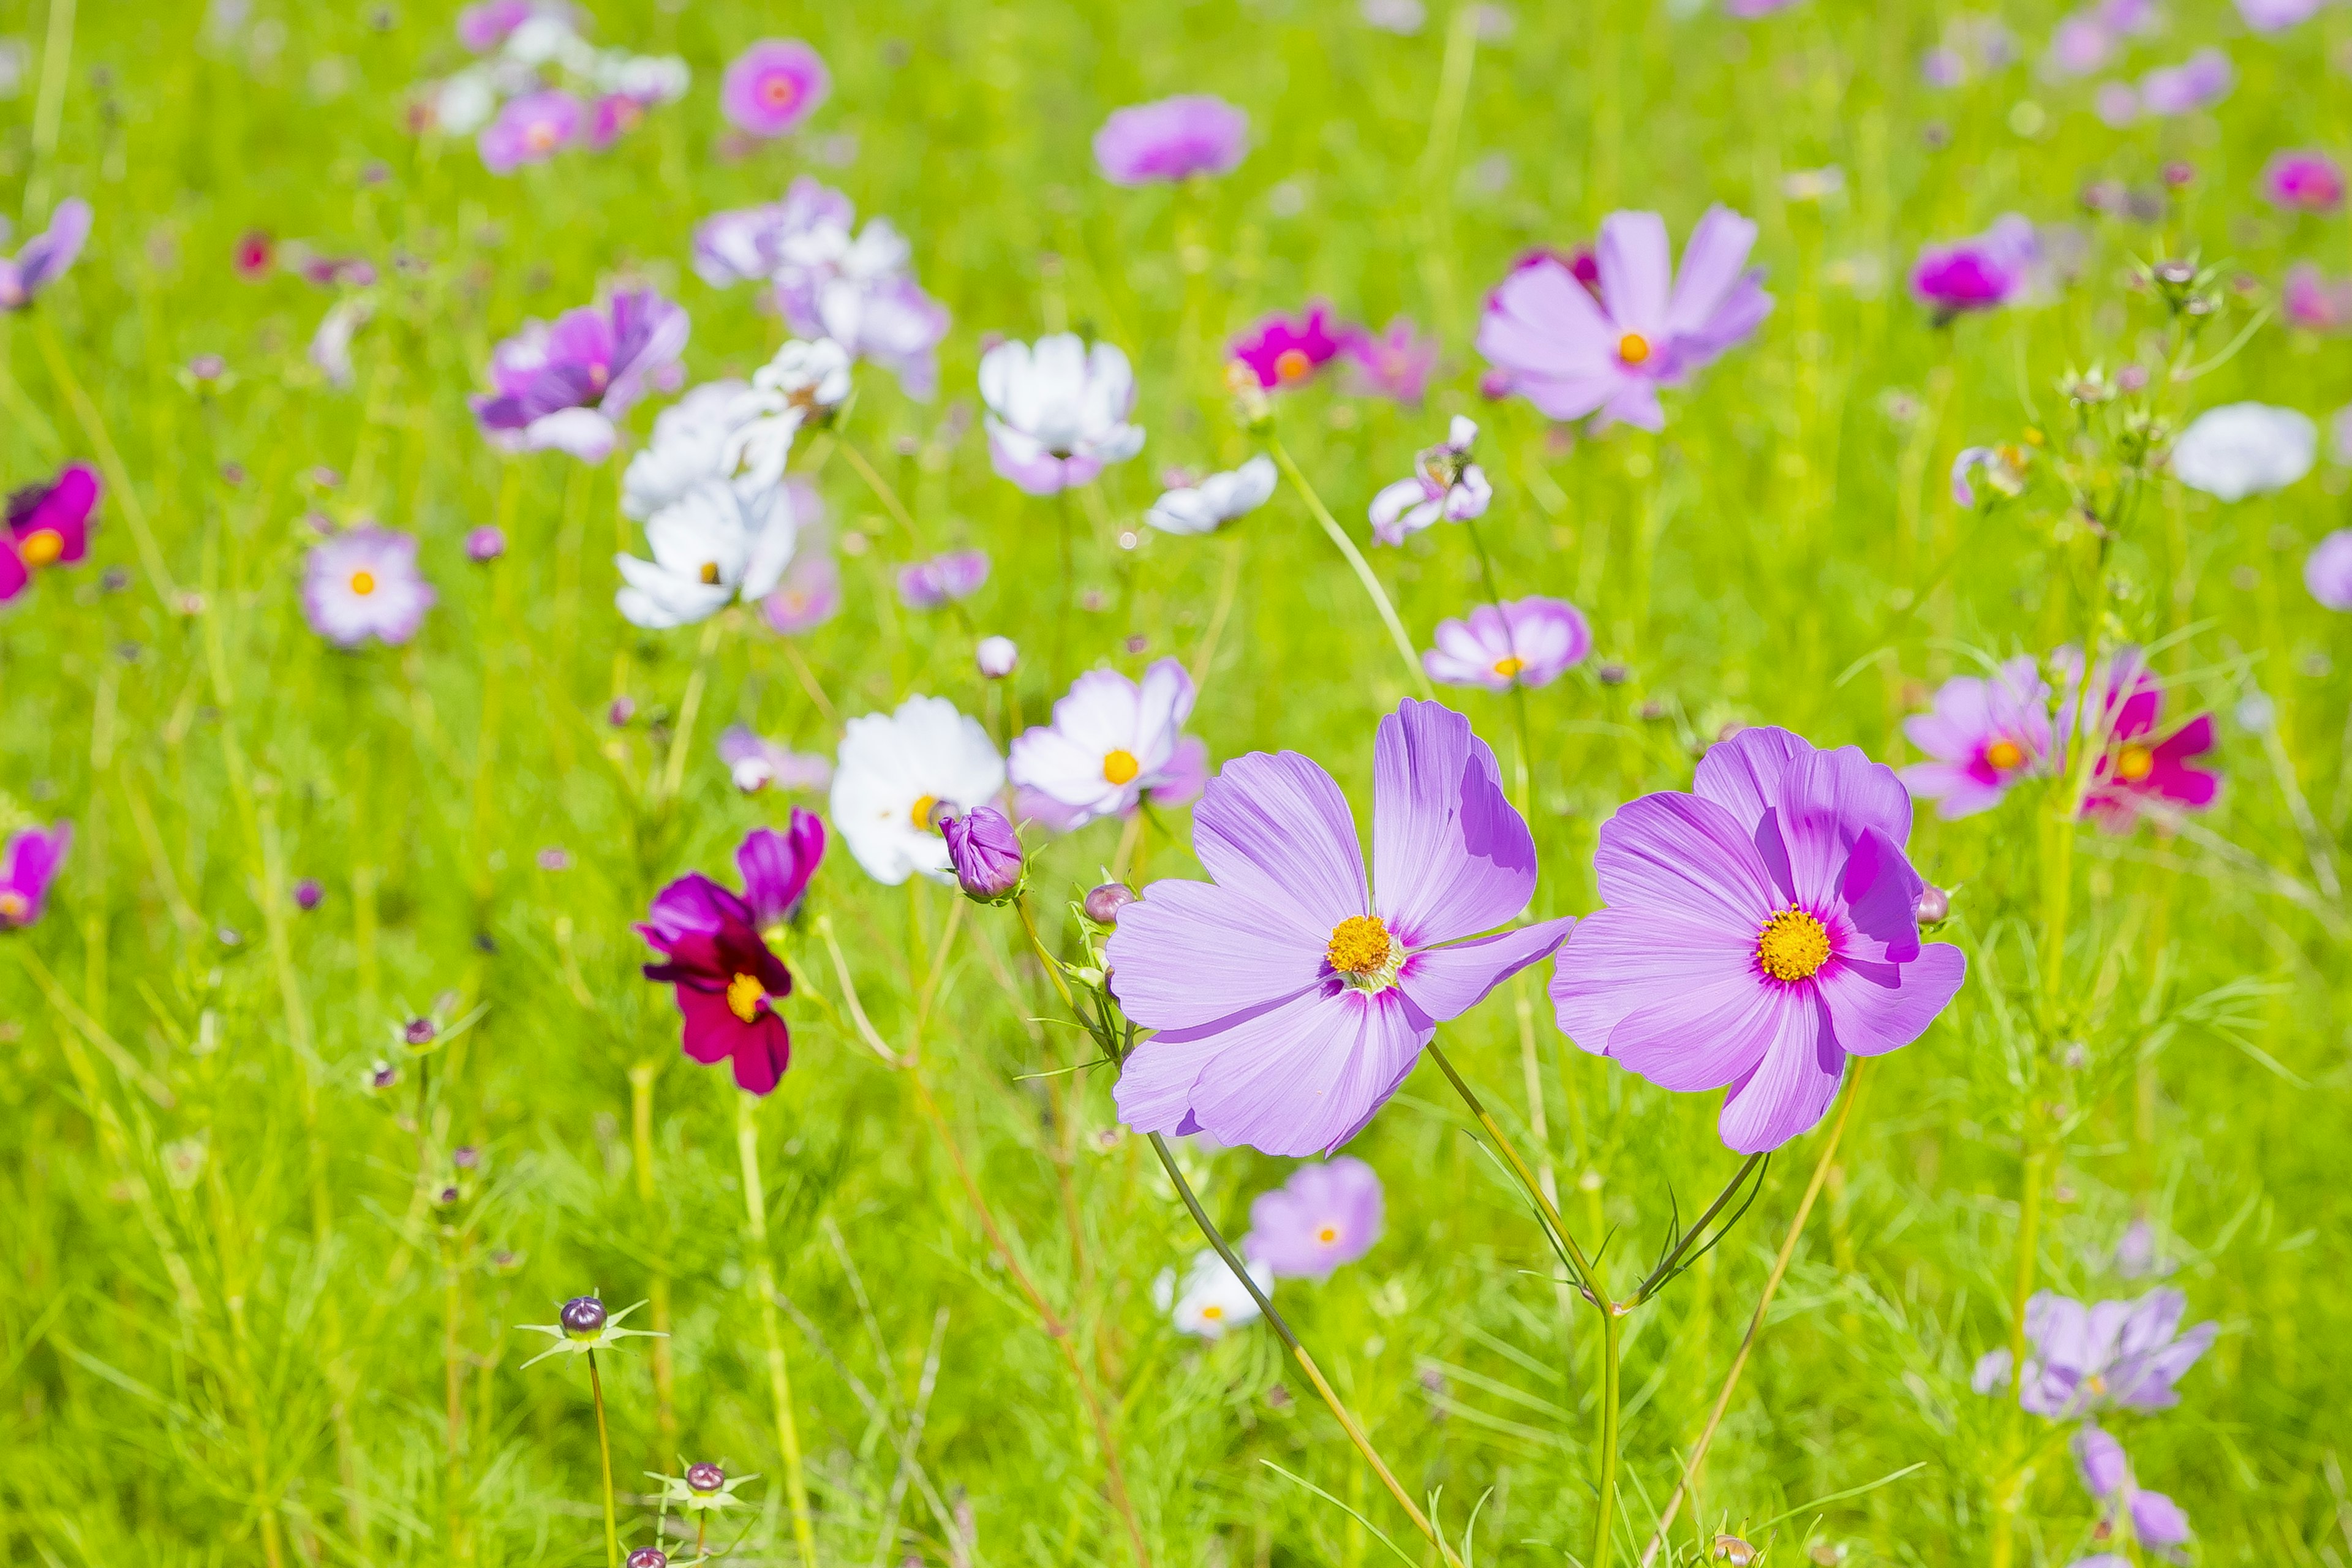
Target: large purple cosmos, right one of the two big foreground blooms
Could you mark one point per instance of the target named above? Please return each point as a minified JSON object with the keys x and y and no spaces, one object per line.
{"x":1758,"y":932}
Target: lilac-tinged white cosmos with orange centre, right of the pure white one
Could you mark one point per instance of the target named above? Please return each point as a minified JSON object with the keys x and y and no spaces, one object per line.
{"x":1111,"y":742}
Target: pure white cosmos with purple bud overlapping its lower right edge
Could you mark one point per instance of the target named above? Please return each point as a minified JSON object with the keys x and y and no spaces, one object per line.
{"x":893,"y":770}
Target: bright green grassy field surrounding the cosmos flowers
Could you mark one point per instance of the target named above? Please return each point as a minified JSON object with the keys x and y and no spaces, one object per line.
{"x":267,"y":1306}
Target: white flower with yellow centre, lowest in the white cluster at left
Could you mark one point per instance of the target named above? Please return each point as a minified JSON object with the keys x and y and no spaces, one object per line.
{"x":709,"y":547}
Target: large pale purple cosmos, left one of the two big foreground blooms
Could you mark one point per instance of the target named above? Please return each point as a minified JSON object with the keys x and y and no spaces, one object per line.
{"x":1290,"y":1000}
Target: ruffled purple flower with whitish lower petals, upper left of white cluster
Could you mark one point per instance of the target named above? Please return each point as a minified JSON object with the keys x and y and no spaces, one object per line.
{"x":563,"y":387}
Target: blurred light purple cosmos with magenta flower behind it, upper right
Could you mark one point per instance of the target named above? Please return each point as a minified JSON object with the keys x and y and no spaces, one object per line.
{"x":1577,"y":354}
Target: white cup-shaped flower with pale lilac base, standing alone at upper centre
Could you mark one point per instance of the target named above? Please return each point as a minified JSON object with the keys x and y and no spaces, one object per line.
{"x":1057,"y":410}
